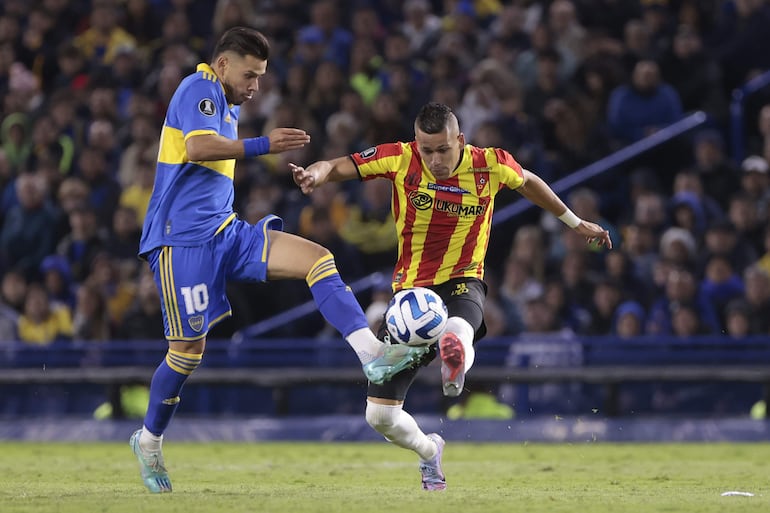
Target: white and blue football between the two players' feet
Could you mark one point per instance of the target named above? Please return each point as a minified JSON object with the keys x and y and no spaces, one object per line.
{"x":416,"y":317}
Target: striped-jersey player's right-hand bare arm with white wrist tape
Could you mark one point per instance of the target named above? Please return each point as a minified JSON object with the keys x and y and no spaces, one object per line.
{"x":541,"y":194}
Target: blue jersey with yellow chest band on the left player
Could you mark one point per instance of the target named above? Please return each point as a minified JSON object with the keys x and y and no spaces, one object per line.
{"x":191,"y":201}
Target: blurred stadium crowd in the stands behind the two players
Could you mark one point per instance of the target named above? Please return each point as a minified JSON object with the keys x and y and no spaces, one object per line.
{"x":84,"y":87}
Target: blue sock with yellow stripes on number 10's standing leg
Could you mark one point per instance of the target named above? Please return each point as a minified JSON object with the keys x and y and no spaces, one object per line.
{"x":166,"y":384}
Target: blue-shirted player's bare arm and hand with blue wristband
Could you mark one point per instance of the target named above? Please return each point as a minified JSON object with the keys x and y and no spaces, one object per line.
{"x":216,"y":147}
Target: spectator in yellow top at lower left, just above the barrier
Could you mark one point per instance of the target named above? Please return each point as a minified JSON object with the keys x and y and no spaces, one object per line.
{"x":43,"y":323}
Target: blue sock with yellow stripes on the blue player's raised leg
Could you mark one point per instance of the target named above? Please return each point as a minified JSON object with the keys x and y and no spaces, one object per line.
{"x":335,"y":300}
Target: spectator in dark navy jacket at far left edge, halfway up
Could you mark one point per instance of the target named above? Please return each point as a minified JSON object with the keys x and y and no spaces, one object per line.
{"x":27,"y":236}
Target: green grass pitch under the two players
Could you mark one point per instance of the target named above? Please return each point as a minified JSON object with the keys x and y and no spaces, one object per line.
{"x":378,"y":477}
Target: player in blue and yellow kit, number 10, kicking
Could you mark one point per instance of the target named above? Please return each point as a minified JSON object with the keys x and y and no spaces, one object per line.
{"x":194,"y":241}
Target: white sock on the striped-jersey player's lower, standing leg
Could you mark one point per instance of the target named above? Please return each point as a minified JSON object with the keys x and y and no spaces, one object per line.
{"x":400,"y":428}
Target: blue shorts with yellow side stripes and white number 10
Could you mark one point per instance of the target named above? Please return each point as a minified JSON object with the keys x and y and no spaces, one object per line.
{"x":191,"y":280}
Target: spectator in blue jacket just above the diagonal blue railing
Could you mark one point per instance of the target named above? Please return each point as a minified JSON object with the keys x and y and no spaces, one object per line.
{"x":642,"y":106}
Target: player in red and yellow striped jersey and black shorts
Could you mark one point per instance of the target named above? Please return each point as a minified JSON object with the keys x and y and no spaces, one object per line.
{"x":443,"y":196}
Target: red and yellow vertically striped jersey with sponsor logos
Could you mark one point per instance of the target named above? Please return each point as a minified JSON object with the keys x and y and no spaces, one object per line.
{"x":443,"y":226}
